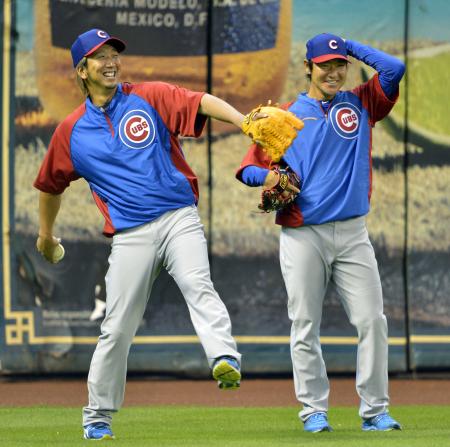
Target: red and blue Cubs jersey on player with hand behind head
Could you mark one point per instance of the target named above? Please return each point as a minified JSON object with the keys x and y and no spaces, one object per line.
{"x":331,"y":155}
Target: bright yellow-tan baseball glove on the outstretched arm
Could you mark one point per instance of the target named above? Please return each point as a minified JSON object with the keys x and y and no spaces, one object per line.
{"x":272,"y":128}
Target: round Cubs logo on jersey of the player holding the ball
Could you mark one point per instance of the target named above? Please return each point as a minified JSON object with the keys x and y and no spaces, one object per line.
{"x":136,"y":129}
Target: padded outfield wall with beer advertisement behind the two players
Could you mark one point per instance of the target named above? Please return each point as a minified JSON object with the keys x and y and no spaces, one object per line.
{"x":52,"y":313}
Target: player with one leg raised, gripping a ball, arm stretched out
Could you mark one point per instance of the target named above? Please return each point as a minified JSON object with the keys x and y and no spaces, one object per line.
{"x":123,"y":140}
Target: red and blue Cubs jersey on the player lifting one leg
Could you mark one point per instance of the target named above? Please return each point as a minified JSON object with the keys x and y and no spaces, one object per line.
{"x":129,"y":153}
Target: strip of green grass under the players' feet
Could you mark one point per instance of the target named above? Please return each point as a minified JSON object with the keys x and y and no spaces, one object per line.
{"x":240,"y":427}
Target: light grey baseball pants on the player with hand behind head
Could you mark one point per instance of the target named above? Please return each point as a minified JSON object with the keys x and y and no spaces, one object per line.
{"x":339,"y":252}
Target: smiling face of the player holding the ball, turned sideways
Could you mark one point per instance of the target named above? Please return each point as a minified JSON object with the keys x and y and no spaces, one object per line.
{"x":101,"y":72}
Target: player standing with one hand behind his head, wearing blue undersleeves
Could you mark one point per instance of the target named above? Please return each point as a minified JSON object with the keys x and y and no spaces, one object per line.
{"x":323,"y":232}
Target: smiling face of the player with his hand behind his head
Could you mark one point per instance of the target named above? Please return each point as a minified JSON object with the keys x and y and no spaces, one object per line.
{"x":326,"y":78}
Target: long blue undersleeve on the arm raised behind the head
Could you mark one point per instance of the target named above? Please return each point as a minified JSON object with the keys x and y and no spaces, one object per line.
{"x":390,"y":69}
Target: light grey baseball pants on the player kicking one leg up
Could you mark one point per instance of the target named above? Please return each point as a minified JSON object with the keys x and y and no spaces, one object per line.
{"x":176,"y":241}
